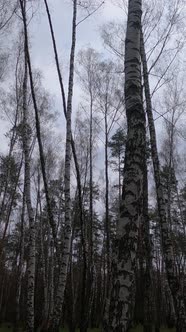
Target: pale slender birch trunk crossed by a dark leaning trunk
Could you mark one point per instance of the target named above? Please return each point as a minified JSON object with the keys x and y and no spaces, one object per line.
{"x":67,"y":229}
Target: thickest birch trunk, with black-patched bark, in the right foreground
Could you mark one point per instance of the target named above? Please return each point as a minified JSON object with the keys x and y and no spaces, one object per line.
{"x":124,"y":258}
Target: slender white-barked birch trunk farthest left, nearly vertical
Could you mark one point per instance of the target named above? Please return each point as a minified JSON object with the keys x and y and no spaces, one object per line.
{"x":31,"y":257}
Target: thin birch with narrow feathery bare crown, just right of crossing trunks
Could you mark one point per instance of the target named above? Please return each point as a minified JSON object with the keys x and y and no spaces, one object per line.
{"x":87,"y":71}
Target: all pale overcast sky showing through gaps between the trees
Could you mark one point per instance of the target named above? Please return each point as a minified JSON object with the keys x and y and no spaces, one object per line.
{"x":88,"y":34}
